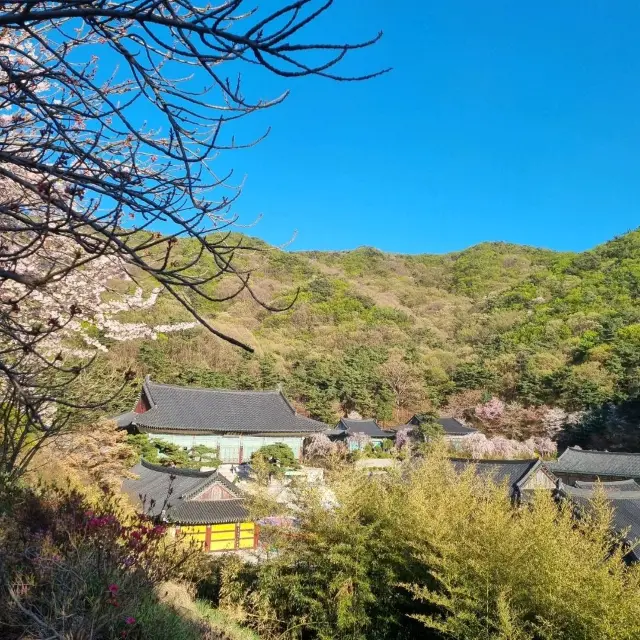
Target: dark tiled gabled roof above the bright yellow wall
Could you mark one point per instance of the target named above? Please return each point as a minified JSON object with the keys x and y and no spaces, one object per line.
{"x":157,"y":489}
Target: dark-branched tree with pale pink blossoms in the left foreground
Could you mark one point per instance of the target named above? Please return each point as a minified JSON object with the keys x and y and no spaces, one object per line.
{"x":112,"y":118}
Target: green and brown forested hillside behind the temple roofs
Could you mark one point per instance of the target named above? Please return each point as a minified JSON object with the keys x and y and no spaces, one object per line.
{"x":387,"y":335}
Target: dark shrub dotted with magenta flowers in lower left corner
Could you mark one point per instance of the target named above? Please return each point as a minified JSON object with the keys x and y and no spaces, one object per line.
{"x":99,"y":563}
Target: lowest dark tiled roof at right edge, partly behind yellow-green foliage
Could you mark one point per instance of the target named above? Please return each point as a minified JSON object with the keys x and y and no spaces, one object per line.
{"x":625,"y":501}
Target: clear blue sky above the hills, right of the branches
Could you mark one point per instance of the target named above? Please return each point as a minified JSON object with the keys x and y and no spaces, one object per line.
{"x":501,"y":120}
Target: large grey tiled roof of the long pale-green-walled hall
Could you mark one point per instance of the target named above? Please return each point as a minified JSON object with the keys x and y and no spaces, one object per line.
{"x":191,"y":409}
